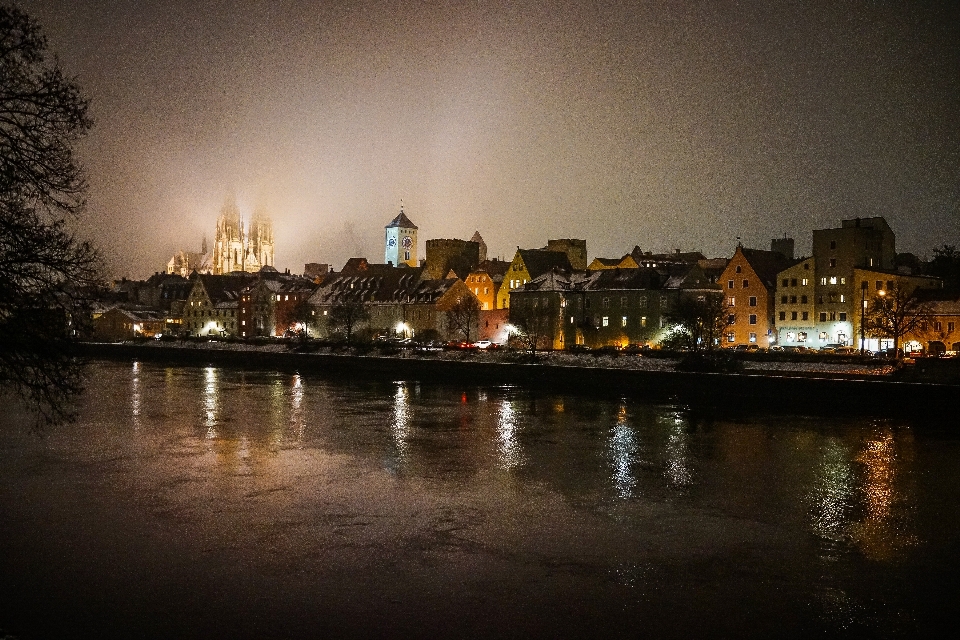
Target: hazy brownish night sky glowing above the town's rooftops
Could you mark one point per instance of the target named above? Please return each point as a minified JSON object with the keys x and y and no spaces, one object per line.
{"x":664,"y":124}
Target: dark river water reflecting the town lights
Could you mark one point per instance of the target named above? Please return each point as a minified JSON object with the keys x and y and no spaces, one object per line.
{"x":219,"y":503}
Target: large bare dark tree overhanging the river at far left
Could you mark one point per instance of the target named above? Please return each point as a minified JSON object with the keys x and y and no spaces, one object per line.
{"x":46,"y":272}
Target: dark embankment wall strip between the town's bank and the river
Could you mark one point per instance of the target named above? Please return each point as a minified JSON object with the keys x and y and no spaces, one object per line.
{"x":749,"y":390}
